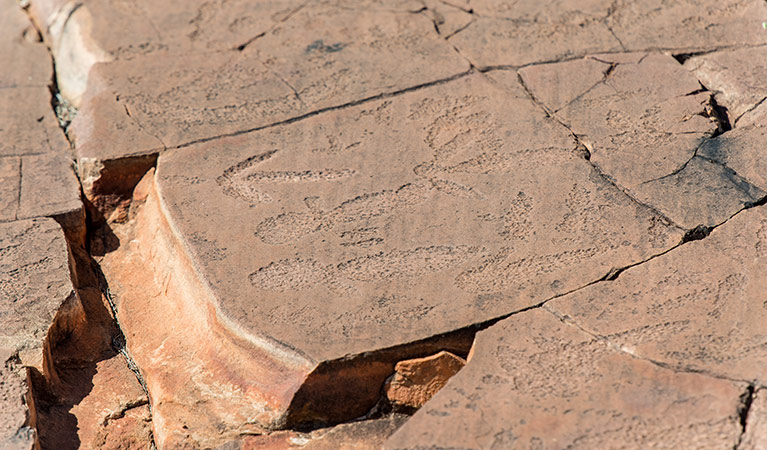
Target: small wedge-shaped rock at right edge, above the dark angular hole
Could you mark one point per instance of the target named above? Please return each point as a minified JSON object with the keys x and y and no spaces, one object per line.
{"x":737,"y":77}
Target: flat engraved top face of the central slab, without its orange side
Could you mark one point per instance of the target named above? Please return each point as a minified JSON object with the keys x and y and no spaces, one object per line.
{"x":335,"y":212}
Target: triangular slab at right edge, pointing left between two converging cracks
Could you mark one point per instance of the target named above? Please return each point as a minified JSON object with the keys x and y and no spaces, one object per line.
{"x":700,"y":307}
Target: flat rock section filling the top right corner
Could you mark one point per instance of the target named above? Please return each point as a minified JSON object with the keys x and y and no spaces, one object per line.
{"x":689,"y":25}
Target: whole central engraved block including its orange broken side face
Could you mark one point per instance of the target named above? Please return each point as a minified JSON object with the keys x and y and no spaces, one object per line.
{"x":357,"y":222}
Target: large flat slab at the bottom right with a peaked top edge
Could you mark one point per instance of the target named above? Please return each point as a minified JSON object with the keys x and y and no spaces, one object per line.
{"x":536,"y":382}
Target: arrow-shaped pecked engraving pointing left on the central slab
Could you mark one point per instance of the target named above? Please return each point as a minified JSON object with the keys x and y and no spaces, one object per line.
{"x":241,"y":180}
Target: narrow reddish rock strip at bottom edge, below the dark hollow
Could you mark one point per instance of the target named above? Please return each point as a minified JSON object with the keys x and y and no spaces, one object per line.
{"x":367,"y":434}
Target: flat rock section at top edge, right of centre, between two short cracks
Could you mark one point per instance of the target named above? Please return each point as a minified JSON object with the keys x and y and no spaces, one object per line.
{"x":521,"y":33}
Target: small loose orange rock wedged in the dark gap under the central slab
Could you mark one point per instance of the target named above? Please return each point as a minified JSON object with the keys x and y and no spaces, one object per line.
{"x":415,"y":381}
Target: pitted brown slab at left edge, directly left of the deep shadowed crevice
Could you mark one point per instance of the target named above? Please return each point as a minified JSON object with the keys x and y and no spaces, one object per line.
{"x":34,"y":283}
